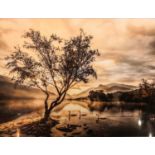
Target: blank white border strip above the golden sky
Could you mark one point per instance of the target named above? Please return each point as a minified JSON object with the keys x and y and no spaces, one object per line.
{"x":77,"y":8}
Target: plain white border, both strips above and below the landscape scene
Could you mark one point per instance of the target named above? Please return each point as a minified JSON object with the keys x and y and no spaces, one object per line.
{"x":77,"y":9}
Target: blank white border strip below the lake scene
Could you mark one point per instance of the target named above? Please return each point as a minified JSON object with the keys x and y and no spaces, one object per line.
{"x":76,"y":146}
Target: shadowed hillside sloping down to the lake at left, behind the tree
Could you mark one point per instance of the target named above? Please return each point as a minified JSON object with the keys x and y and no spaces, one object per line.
{"x":8,"y":90}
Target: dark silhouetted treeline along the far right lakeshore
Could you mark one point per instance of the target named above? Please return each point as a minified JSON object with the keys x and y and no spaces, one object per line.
{"x":145,"y":93}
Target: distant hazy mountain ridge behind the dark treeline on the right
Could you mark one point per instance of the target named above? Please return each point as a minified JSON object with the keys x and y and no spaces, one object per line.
{"x":109,"y":88}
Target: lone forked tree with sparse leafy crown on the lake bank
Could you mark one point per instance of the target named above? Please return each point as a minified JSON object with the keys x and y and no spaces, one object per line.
{"x":54,"y":64}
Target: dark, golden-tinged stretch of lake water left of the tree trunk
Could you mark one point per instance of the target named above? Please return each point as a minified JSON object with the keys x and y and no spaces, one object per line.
{"x":12,"y":109}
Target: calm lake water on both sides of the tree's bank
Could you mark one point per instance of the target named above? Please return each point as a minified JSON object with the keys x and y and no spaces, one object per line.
{"x":75,"y":119}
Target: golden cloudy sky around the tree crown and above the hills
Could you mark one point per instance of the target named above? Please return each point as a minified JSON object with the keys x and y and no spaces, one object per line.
{"x":127,"y":45}
